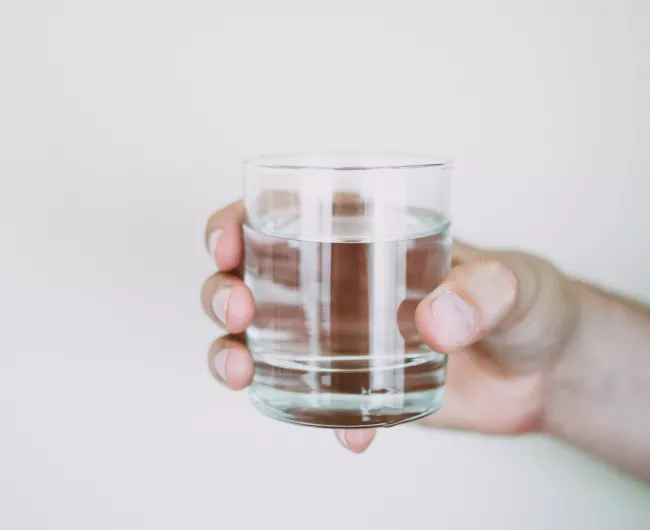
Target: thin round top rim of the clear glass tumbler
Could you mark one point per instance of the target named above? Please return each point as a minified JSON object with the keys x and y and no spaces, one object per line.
{"x":337,"y":161}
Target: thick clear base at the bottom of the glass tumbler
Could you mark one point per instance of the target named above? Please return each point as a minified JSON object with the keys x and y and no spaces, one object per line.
{"x":344,"y":411}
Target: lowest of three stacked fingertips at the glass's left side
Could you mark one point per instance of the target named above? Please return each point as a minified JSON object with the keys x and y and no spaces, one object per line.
{"x":231,"y":363}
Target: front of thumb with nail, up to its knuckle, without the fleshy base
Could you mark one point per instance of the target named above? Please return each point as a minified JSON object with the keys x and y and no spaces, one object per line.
{"x":467,"y":306}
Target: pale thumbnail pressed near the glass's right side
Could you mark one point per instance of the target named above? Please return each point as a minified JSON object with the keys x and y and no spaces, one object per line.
{"x":454,"y":319}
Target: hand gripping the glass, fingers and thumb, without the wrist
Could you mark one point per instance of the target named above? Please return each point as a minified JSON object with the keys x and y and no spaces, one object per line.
{"x":503,"y":318}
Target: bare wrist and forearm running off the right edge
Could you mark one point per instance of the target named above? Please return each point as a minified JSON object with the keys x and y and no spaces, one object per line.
{"x":598,"y":391}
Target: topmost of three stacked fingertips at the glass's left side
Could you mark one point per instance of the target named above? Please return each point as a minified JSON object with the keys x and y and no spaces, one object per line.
{"x":223,"y":237}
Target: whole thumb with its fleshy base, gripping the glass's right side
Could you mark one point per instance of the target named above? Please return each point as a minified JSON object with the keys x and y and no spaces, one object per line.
{"x":523,"y":307}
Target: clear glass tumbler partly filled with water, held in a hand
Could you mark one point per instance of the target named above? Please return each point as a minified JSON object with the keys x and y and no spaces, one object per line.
{"x":339,"y":252}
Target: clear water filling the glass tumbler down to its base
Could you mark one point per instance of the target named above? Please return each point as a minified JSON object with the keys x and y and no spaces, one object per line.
{"x":334,"y":337}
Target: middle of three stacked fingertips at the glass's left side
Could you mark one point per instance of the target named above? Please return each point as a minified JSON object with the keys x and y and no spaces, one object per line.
{"x":228,"y":301}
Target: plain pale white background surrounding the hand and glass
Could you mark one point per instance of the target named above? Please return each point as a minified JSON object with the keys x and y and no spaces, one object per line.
{"x":122,"y":126}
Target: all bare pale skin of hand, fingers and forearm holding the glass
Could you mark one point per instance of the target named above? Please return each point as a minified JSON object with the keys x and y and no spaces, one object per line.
{"x":530,"y":350}
